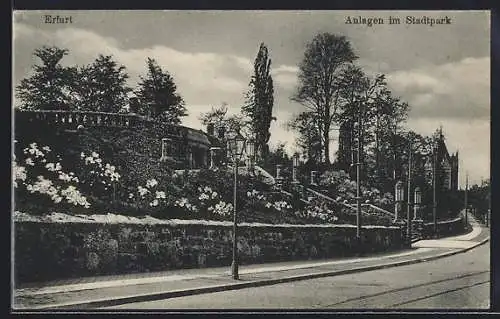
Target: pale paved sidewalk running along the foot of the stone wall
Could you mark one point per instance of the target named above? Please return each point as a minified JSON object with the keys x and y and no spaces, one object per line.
{"x":106,"y":291}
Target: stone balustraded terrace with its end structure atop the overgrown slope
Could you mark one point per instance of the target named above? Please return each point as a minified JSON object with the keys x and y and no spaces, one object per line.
{"x":181,"y":146}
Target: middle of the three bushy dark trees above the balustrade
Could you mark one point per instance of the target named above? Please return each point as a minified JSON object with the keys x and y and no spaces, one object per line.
{"x":101,"y":86}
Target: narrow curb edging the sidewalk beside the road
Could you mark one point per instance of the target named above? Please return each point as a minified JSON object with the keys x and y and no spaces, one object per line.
{"x":226,"y":287}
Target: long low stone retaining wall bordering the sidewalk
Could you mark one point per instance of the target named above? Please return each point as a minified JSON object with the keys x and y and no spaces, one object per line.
{"x":49,"y":251}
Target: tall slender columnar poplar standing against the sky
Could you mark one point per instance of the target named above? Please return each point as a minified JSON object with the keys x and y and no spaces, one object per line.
{"x":260,"y":100}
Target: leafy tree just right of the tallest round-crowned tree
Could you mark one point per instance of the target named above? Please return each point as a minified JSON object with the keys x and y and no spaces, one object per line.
{"x":369,"y":101}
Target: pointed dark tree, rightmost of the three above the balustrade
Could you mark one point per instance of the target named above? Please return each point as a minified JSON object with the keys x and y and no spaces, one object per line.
{"x":158,"y":95}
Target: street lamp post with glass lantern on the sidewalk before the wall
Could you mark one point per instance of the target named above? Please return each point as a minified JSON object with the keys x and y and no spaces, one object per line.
{"x":236,"y":146}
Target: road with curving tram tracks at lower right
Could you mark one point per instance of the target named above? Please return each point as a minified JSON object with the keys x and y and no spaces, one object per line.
{"x":461,"y":281}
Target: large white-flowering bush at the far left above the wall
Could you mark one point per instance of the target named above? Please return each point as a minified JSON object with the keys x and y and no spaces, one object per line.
{"x":42,"y":180}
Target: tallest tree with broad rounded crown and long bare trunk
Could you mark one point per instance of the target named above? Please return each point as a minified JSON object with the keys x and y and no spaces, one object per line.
{"x":324,"y":57}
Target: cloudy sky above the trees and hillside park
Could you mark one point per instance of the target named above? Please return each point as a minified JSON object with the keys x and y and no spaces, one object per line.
{"x":442,"y":71}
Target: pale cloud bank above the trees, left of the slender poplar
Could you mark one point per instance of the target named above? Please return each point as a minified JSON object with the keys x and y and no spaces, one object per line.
{"x":201,"y":77}
